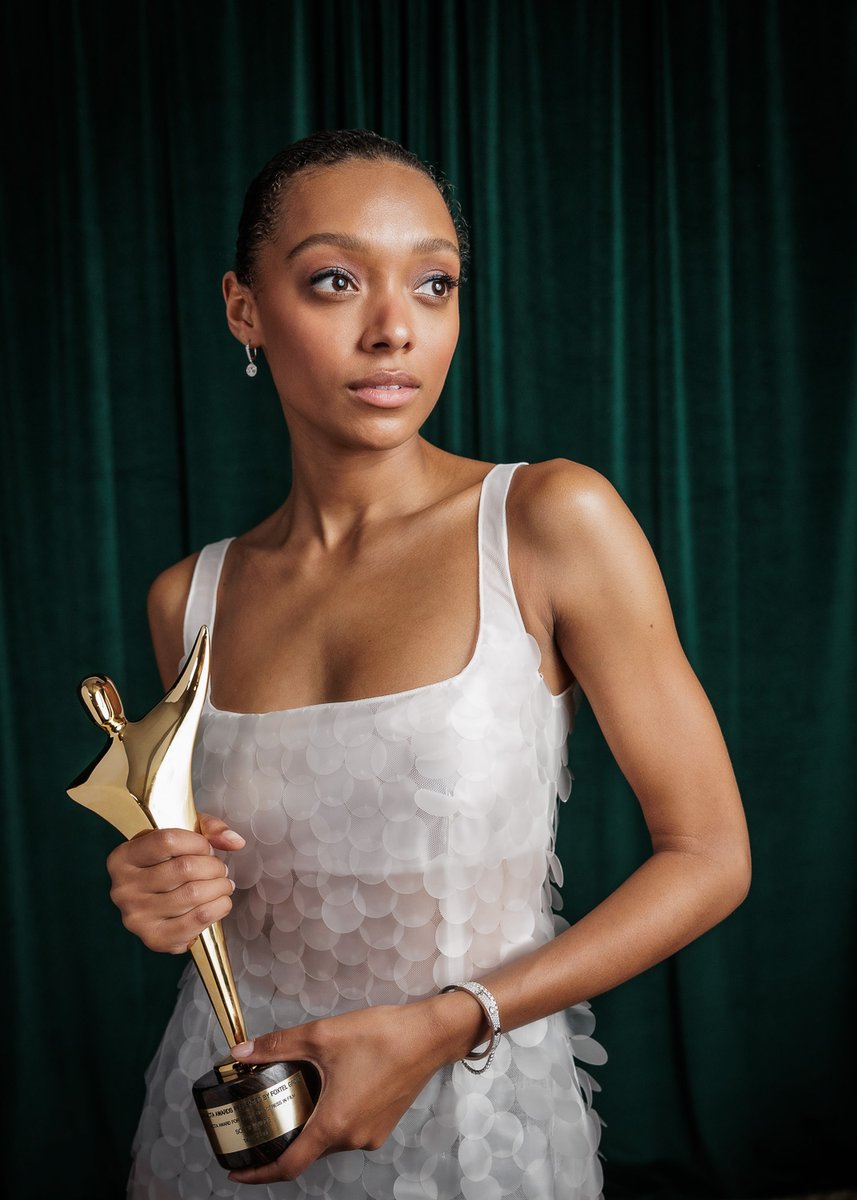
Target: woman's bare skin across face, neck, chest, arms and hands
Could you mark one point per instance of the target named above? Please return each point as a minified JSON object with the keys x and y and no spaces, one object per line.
{"x":364,"y":584}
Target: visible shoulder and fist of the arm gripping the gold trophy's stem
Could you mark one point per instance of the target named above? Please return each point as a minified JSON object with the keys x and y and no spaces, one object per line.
{"x":169,"y":885}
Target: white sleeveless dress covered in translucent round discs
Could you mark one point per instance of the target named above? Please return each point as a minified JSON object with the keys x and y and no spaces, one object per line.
{"x":395,"y":844}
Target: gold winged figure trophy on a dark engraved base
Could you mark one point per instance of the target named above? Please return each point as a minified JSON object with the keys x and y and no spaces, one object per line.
{"x":141,"y":782}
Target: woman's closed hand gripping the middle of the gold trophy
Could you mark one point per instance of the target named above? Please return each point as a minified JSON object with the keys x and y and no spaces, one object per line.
{"x":170,"y":886}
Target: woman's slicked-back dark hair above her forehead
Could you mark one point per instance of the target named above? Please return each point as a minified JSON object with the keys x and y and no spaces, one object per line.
{"x":263,"y":202}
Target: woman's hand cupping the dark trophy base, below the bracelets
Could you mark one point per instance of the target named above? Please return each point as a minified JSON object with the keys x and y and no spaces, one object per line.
{"x":374,"y":1064}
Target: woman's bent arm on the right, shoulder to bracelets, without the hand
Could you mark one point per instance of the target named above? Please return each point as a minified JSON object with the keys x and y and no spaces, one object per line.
{"x":590,"y":562}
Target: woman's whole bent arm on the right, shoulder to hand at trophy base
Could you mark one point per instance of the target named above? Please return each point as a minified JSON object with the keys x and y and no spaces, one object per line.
{"x":592,"y":573}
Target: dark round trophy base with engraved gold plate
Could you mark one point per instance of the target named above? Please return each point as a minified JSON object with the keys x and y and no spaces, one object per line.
{"x":253,"y":1113}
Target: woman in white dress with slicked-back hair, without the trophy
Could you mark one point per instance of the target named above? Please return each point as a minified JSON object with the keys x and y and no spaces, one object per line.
{"x":397,"y":653}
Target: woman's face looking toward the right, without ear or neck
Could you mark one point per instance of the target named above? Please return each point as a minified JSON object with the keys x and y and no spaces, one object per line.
{"x":361,"y":280}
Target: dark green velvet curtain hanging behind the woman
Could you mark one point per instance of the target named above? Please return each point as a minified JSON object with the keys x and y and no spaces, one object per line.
{"x":662,"y":201}
